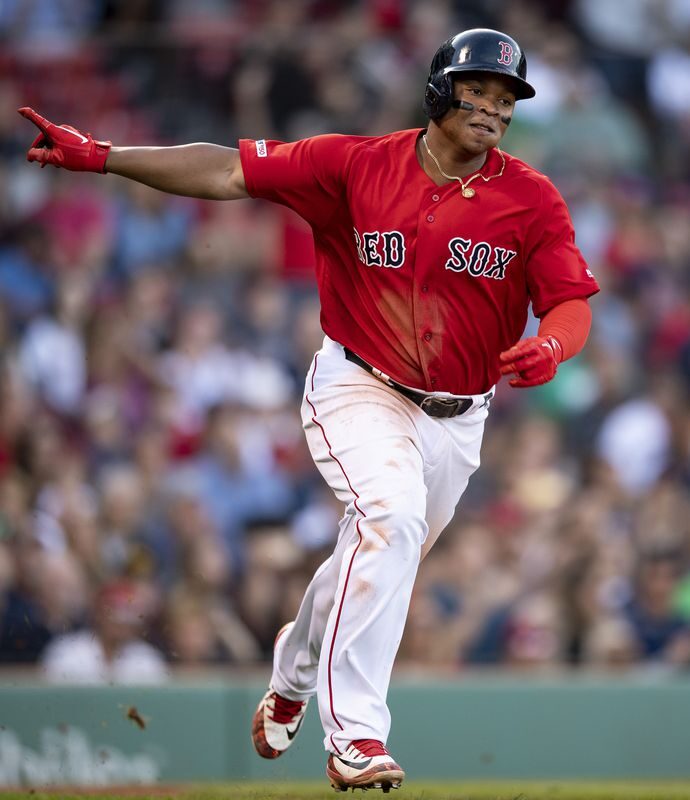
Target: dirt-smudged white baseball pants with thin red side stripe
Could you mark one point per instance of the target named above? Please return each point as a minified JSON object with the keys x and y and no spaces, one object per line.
{"x":400,"y":473}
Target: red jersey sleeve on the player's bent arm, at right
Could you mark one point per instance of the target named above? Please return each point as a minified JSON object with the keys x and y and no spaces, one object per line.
{"x":556,"y":270}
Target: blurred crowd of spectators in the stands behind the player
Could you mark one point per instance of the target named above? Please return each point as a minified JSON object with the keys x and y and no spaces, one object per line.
{"x":159,"y":511}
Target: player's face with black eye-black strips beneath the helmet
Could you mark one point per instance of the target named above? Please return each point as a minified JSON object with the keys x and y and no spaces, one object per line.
{"x":493,"y":102}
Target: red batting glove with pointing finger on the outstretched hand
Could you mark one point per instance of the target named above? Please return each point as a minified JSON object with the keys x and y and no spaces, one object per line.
{"x":65,"y":146}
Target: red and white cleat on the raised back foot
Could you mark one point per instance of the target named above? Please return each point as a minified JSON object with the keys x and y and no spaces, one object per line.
{"x":277,"y":720}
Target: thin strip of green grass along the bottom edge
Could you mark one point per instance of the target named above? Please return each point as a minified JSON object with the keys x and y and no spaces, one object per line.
{"x":508,"y":790}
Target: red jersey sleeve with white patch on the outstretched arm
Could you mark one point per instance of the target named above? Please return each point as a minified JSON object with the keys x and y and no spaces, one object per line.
{"x":307,"y":176}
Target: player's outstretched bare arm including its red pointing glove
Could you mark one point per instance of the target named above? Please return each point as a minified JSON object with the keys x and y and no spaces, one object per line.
{"x":201,"y":170}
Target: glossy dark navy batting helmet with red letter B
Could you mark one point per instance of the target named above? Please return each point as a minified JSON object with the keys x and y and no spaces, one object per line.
{"x":475,"y":50}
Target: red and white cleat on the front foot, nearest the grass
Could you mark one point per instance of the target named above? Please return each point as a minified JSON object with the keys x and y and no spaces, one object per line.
{"x":366,"y":764}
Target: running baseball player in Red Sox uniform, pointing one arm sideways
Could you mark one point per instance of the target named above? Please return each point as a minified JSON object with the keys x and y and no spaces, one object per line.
{"x":430,"y":246}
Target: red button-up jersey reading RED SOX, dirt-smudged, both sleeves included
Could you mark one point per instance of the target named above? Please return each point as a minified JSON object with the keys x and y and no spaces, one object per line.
{"x":424,"y":284}
